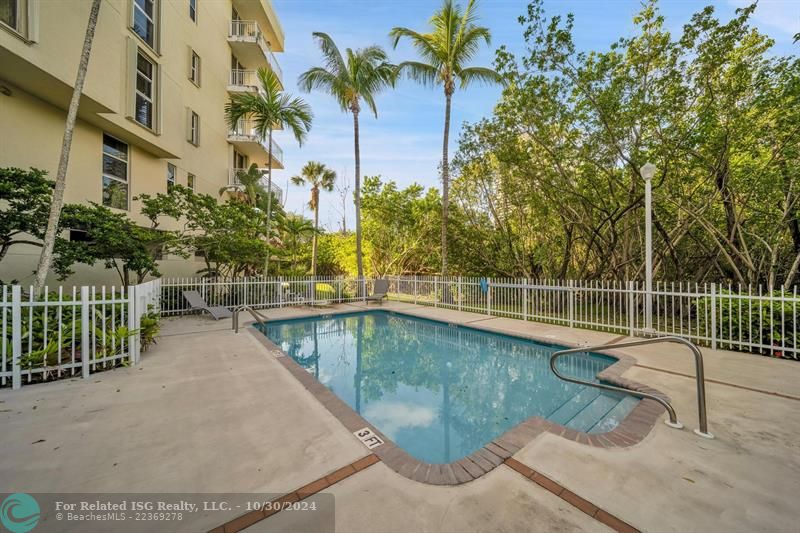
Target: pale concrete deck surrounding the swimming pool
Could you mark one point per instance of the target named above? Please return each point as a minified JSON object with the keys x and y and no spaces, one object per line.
{"x":210,"y":411}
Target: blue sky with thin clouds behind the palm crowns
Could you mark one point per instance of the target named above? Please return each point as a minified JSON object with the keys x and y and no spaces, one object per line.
{"x":404,"y":143}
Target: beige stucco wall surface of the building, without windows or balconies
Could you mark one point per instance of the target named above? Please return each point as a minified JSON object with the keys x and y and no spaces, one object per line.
{"x":40,"y":74}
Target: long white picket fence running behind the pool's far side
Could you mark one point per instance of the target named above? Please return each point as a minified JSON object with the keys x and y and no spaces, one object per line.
{"x":727,"y":317}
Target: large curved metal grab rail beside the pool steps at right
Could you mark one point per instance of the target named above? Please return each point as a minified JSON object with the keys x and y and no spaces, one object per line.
{"x":673,"y":419}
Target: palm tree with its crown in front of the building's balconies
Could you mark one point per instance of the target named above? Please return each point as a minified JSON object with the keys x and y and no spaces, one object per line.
{"x":270,"y":108}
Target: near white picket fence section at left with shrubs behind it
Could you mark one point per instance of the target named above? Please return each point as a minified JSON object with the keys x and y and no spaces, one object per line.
{"x":72,"y":332}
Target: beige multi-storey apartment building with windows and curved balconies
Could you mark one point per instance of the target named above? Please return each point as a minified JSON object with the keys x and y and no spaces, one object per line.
{"x":152,"y":111}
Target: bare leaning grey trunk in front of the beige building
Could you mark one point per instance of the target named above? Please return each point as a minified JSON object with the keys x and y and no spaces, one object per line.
{"x":46,"y":257}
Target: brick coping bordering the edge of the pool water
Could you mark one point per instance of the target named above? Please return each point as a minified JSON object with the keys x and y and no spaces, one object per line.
{"x":632,"y":430}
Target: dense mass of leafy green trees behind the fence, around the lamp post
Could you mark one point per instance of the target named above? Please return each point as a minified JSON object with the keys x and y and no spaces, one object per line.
{"x":550,"y":184}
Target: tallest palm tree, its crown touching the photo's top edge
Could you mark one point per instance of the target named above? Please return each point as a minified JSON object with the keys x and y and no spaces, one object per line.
{"x":453,"y":41}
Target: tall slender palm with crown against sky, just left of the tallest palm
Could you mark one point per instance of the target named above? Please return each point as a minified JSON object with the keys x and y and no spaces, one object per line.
{"x":361,"y":76}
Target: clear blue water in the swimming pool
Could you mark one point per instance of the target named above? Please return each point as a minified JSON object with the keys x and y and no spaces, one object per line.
{"x":439,"y":391}
